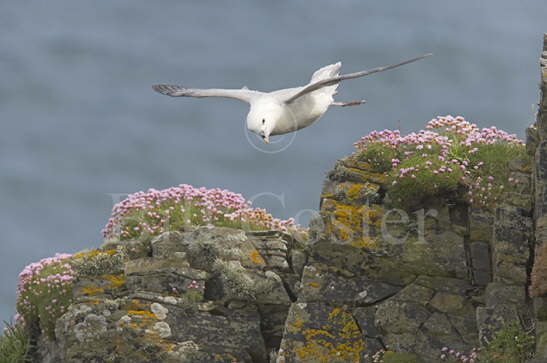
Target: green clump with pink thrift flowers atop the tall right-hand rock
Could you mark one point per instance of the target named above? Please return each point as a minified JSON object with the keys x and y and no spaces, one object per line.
{"x":450,"y":157}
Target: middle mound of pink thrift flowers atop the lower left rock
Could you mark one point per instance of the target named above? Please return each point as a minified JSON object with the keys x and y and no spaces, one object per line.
{"x":157,"y":211}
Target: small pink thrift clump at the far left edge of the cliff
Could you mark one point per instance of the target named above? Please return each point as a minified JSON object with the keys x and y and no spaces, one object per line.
{"x":44,"y":290}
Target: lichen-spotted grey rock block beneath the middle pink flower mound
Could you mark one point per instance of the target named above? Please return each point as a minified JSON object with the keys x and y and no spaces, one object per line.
{"x":204,"y":295}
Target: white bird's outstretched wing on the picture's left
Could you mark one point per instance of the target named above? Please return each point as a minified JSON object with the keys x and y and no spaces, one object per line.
{"x":243,"y":94}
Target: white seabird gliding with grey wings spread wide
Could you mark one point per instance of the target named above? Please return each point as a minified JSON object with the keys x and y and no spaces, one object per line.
{"x":285,"y":110}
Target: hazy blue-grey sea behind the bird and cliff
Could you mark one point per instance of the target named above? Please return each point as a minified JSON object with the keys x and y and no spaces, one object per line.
{"x":80,"y":125}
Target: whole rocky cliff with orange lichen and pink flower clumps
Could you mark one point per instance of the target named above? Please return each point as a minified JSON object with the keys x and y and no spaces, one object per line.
{"x":402,"y":264}
